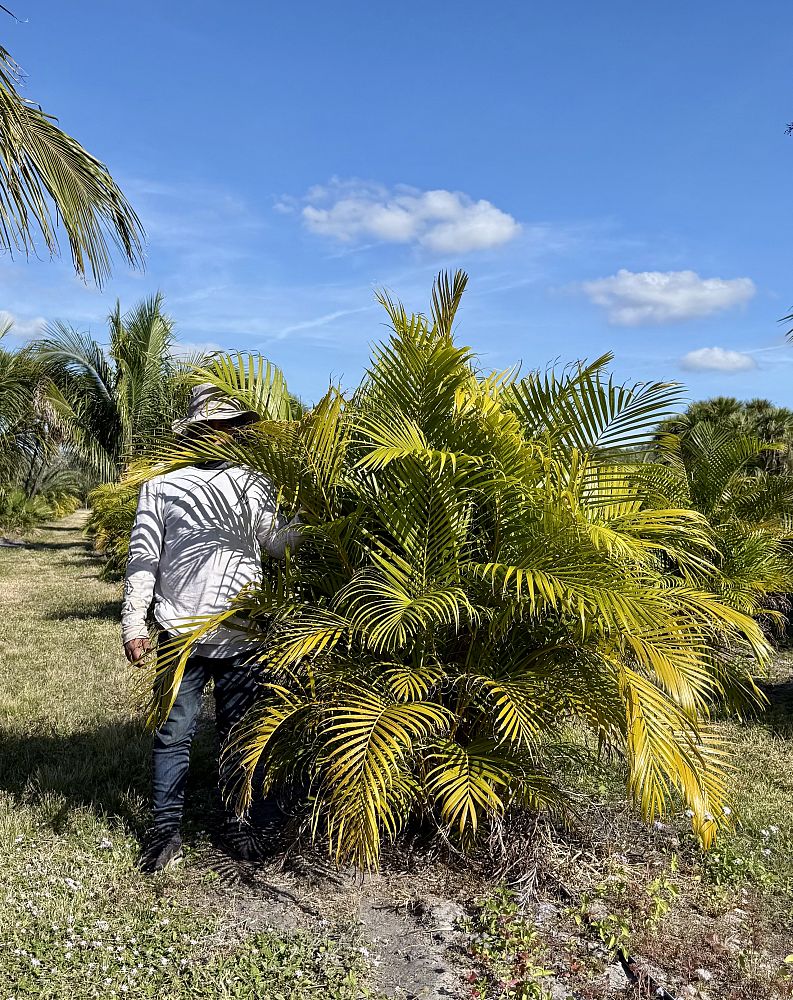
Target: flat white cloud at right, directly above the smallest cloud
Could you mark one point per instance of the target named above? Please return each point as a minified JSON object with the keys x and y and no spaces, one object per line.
{"x":665,"y":296}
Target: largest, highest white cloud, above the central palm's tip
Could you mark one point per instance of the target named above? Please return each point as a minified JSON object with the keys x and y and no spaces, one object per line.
{"x":441,"y":221}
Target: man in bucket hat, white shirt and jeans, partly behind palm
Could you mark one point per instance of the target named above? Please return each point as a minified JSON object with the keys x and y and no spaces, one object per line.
{"x":197,"y":541}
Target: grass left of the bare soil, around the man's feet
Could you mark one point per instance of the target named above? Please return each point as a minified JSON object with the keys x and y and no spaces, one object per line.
{"x":77,"y":920}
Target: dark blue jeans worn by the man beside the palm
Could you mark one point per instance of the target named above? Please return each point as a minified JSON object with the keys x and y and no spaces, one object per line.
{"x":235,"y":690}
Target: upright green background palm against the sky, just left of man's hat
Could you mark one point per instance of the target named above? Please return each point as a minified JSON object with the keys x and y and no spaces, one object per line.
{"x":117,"y":403}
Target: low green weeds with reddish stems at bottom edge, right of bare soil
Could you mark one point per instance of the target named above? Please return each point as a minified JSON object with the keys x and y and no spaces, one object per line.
{"x":505,"y":943}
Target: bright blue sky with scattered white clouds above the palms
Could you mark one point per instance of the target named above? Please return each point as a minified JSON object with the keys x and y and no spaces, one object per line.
{"x":612,"y":176}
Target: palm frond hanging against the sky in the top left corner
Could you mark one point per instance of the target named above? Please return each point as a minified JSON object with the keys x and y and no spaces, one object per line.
{"x":47,"y":177}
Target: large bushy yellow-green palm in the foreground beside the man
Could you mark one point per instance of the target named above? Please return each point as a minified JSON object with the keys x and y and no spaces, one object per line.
{"x":482,"y":570}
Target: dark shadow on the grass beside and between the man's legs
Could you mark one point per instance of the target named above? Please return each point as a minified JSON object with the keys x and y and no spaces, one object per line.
{"x":105,"y":770}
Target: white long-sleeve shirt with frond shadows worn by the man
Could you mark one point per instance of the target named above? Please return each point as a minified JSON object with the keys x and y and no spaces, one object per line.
{"x":197,"y":541}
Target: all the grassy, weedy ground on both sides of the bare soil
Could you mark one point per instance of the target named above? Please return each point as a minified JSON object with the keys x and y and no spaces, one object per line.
{"x":78,"y":921}
